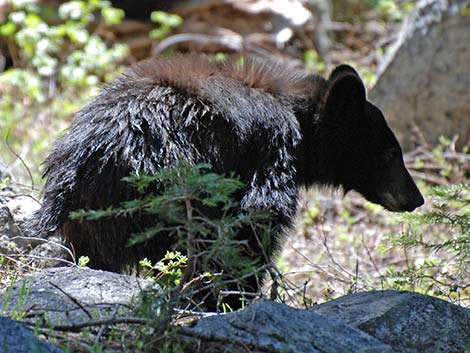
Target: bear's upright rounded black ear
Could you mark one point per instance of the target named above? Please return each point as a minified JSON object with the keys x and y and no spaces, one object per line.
{"x":345,"y":97}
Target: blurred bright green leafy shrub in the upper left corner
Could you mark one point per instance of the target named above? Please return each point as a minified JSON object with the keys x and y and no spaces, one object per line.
{"x":66,"y":49}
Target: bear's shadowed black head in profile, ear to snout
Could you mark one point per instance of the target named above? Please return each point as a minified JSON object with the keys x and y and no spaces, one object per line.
{"x":369,"y":157}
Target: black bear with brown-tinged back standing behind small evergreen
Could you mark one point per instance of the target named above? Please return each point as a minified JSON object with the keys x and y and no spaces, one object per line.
{"x":277,"y":128}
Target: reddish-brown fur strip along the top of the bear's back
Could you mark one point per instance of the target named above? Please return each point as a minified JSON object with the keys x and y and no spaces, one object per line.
{"x":194,"y":74}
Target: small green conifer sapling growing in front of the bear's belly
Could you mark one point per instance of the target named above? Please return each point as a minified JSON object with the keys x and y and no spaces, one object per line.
{"x":196,"y":207}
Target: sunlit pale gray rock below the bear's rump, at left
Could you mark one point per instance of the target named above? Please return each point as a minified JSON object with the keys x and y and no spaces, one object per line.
{"x":69,"y":296}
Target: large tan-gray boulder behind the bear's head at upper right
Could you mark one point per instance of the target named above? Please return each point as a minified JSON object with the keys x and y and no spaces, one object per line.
{"x":426,"y":78}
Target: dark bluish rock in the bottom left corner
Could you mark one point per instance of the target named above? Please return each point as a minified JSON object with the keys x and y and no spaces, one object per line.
{"x":15,"y":338}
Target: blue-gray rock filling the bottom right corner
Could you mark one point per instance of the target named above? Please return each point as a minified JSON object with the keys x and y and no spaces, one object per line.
{"x":409,"y":322}
